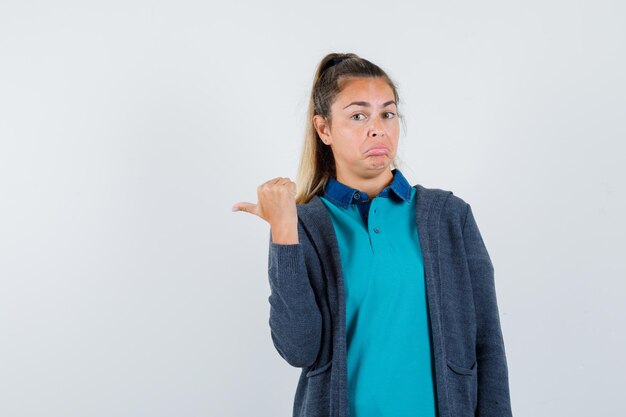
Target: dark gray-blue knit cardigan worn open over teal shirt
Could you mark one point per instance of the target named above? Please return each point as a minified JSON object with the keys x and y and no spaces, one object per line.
{"x":307,"y":311}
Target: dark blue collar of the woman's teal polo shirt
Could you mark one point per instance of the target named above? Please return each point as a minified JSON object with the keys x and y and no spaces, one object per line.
{"x":344,"y":195}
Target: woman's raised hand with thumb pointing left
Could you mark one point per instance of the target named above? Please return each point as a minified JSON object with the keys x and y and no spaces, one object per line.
{"x":277,"y":206}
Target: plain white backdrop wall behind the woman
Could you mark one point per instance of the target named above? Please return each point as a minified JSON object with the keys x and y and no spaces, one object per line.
{"x":129,"y":128}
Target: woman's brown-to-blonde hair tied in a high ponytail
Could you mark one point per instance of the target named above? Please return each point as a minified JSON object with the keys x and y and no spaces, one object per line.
{"x":317,"y":163}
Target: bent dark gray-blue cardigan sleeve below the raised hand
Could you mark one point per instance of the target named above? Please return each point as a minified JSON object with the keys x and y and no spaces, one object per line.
{"x":295,"y":319}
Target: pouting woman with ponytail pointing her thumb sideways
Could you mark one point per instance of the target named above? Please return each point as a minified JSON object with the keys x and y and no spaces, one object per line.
{"x":382,"y":292}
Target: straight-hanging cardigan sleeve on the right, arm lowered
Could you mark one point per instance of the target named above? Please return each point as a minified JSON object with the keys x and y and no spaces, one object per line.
{"x":493,"y":384}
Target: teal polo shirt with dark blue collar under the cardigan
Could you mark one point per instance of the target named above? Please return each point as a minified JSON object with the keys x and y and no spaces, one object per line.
{"x":390,"y":360}
